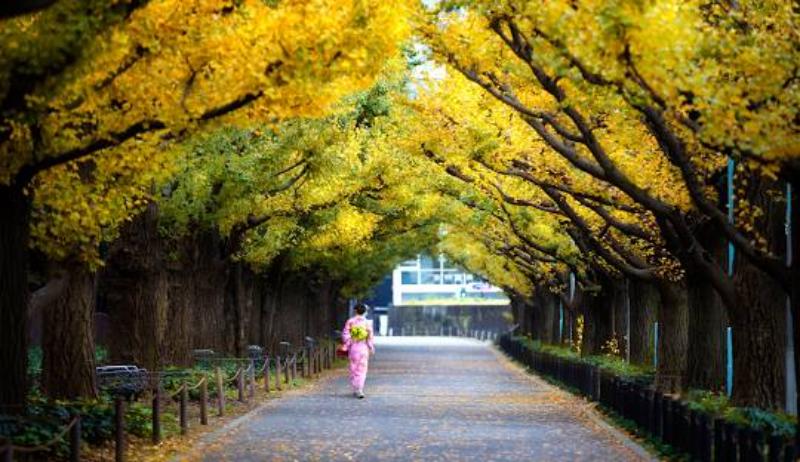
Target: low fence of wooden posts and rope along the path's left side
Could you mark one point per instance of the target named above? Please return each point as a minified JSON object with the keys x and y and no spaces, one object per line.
{"x":128,"y":384}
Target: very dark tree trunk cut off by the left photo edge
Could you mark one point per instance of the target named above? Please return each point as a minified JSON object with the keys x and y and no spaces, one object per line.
{"x":14,"y":296}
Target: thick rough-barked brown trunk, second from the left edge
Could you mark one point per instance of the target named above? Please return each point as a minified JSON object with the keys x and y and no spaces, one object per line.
{"x":68,"y":363}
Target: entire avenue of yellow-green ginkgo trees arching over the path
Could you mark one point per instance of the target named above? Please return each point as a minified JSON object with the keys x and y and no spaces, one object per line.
{"x":195,"y":165}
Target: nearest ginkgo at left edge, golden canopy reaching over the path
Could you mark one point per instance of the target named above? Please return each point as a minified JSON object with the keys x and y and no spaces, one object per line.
{"x":86,"y":79}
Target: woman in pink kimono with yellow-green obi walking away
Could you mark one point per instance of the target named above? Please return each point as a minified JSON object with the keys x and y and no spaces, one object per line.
{"x":357,"y":339}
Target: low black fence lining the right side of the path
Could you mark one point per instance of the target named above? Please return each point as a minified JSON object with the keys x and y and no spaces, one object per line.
{"x":702,"y":436}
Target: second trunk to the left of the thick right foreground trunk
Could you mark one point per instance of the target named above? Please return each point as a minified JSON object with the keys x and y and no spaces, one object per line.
{"x":673,"y":336}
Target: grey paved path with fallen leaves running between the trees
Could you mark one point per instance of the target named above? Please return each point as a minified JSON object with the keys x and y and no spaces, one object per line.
{"x":428,"y":399}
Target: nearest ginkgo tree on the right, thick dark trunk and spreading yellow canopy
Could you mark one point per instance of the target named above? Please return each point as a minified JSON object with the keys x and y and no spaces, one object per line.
{"x":630,"y":114}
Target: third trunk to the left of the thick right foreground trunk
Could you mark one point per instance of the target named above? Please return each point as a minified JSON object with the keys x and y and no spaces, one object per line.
{"x":645,"y":302}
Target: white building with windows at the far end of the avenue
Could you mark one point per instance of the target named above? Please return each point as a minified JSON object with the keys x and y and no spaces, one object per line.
{"x":429,"y":281}
